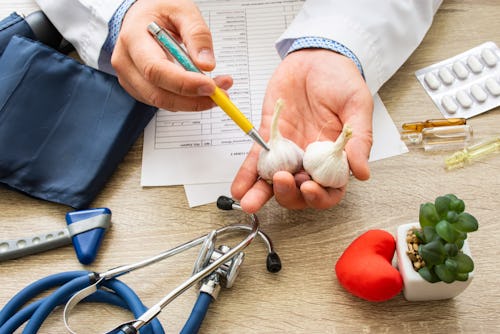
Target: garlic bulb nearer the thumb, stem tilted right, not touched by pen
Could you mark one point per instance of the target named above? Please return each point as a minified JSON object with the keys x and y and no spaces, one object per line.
{"x":326,"y":161}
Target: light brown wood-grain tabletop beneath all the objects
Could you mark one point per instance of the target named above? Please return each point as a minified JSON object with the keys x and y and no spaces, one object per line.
{"x":305,"y":297}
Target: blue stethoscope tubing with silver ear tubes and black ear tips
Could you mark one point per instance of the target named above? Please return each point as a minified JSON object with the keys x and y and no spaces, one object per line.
{"x":15,"y":313}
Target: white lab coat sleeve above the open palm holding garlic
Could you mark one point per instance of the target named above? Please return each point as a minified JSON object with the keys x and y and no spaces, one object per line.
{"x":382,"y":34}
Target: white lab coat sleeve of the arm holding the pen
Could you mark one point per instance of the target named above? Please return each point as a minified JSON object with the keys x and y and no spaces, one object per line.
{"x":84,"y":23}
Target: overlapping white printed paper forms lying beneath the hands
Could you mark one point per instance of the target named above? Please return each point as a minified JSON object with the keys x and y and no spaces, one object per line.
{"x":204,"y":150}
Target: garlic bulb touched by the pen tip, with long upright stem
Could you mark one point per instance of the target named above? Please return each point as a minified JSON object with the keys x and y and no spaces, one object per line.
{"x":283,"y":154}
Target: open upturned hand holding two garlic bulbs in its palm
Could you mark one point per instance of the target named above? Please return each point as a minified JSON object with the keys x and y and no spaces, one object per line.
{"x":322,"y":91}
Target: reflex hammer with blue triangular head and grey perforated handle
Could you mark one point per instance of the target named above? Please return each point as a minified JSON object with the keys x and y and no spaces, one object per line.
{"x":85,"y":230}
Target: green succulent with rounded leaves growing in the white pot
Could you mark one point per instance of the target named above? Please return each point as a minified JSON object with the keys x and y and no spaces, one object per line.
{"x":444,"y":227}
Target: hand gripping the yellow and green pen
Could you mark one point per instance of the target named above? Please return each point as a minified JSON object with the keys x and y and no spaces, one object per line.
{"x":145,"y":70}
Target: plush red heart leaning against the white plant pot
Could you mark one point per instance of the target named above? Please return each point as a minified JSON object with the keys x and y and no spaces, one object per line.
{"x":365,"y":268}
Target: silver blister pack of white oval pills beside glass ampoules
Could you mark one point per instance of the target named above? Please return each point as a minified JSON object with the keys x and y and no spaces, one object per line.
{"x":465,"y":85}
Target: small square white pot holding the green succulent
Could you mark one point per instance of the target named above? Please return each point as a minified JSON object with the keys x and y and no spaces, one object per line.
{"x":415,"y":287}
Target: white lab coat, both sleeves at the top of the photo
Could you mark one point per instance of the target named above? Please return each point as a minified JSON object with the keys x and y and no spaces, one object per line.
{"x":382,"y":33}
